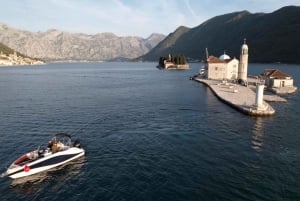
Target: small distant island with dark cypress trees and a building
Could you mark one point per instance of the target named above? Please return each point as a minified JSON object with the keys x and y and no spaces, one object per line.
{"x":177,"y":62}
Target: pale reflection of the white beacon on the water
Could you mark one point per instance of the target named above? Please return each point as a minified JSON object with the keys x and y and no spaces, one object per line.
{"x":257,"y":134}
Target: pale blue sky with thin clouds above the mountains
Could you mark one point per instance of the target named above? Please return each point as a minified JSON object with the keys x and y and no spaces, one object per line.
{"x":124,"y":17}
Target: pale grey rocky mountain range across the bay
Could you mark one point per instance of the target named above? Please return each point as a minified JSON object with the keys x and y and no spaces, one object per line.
{"x":59,"y":45}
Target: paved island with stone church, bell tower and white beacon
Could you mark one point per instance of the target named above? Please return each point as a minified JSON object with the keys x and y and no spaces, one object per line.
{"x":229,"y":80}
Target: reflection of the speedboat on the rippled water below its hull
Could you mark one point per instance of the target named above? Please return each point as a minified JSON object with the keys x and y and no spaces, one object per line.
{"x":36,"y":183}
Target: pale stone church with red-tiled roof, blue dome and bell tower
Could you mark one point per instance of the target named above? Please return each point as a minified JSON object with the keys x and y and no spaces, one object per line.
{"x":226,"y":68}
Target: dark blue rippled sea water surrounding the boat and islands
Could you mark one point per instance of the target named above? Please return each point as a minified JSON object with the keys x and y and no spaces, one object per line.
{"x":149,"y":135}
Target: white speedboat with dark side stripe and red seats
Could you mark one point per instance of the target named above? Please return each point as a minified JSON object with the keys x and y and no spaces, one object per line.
{"x":60,"y":150}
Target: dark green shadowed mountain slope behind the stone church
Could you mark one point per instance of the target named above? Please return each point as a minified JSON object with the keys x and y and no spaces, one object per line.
{"x":272,"y":37}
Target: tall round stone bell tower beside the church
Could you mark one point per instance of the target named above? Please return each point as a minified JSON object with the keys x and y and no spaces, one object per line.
{"x":243,"y":65}
